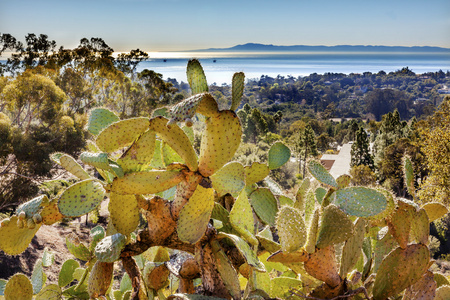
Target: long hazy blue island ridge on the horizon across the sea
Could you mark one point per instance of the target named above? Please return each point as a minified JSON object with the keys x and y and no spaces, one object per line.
{"x":254,"y":47}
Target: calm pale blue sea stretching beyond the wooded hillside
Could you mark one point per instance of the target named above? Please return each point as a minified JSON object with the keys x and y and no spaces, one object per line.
{"x":220,"y":67}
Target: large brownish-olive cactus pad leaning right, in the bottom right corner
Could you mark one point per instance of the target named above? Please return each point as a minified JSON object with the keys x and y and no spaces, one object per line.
{"x":399,"y":269}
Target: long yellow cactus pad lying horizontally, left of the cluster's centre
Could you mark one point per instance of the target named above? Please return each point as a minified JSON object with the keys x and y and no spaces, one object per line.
{"x":146,"y":182}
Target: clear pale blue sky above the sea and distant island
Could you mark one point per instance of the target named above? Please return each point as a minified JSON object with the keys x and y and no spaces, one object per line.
{"x":158,"y":25}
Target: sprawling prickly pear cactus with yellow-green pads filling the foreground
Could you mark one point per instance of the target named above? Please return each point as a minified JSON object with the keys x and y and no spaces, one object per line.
{"x":228,"y":225}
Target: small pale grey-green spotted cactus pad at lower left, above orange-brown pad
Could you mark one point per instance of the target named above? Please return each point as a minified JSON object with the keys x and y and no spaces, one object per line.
{"x":110,"y":247}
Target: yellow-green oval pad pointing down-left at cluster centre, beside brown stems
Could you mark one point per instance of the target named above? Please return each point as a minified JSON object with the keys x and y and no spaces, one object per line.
{"x":195,"y":215}
